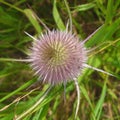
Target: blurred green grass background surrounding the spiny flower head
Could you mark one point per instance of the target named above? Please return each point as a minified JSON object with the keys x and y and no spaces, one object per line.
{"x":100,"y":93}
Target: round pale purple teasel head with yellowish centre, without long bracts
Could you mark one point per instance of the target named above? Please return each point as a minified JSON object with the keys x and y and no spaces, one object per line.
{"x":57,"y":56}
